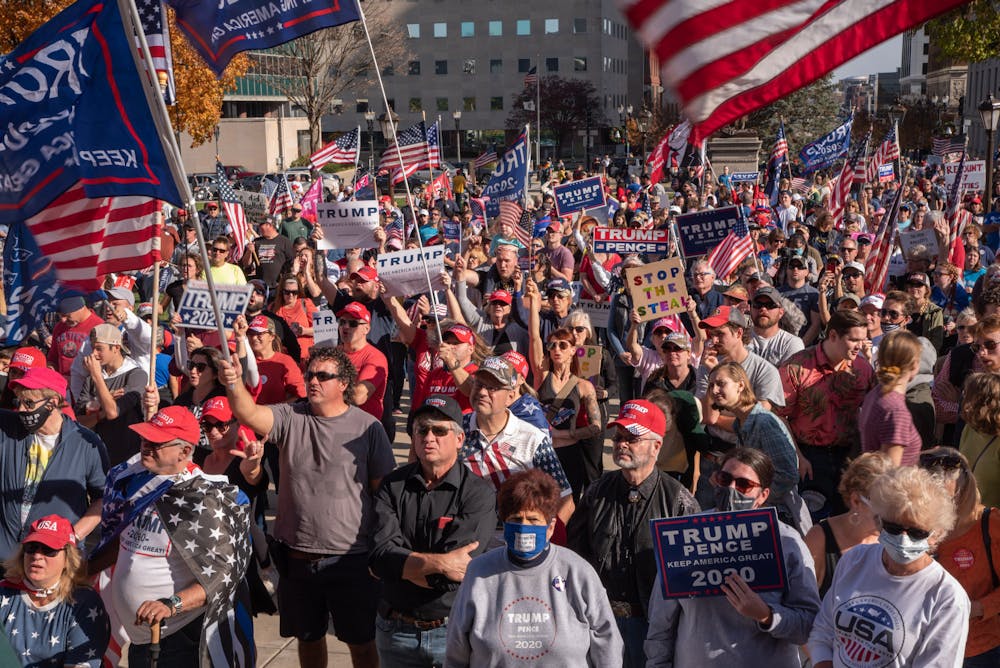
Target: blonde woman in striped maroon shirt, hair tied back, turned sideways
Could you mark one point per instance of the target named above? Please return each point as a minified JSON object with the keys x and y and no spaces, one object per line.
{"x":886,"y":423}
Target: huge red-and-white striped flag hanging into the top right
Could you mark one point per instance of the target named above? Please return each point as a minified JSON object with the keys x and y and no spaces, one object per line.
{"x":726,"y":59}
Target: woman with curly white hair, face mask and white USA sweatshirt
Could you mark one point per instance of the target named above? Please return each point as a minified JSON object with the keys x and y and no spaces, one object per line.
{"x":891,"y":603}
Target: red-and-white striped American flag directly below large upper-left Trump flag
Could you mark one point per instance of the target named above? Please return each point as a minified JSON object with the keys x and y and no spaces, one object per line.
{"x":88,"y":238}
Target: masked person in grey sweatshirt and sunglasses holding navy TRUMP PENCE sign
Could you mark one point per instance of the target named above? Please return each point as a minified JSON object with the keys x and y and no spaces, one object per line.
{"x":727,"y":630}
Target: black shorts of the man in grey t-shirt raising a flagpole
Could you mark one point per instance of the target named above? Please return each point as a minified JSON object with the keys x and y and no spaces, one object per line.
{"x":338,"y":588}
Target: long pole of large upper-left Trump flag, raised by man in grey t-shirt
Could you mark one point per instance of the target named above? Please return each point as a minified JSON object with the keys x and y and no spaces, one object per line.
{"x":158,"y":109}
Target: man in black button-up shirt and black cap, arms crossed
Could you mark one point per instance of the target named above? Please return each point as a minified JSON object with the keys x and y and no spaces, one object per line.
{"x":432,"y":517}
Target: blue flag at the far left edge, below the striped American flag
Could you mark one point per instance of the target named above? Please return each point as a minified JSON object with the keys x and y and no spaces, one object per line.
{"x":29,"y":283}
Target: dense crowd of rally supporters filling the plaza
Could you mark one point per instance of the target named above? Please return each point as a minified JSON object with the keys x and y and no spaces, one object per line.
{"x":866,"y":416}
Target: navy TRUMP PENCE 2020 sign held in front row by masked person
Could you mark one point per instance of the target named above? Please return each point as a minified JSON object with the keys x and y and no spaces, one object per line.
{"x":695,"y":553}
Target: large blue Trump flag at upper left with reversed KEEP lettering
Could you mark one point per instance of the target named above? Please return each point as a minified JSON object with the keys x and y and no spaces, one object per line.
{"x":73,"y":110}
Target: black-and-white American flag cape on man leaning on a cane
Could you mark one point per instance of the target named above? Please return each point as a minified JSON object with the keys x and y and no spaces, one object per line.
{"x":208,"y":522}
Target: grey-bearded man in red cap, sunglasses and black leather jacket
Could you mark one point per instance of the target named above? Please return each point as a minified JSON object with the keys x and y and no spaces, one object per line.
{"x":610,"y":527}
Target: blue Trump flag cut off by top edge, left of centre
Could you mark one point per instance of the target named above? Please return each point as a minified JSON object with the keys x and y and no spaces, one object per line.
{"x":219,"y":30}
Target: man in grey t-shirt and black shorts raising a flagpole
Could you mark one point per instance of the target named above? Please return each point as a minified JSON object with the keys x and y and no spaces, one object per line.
{"x":333,"y":457}
